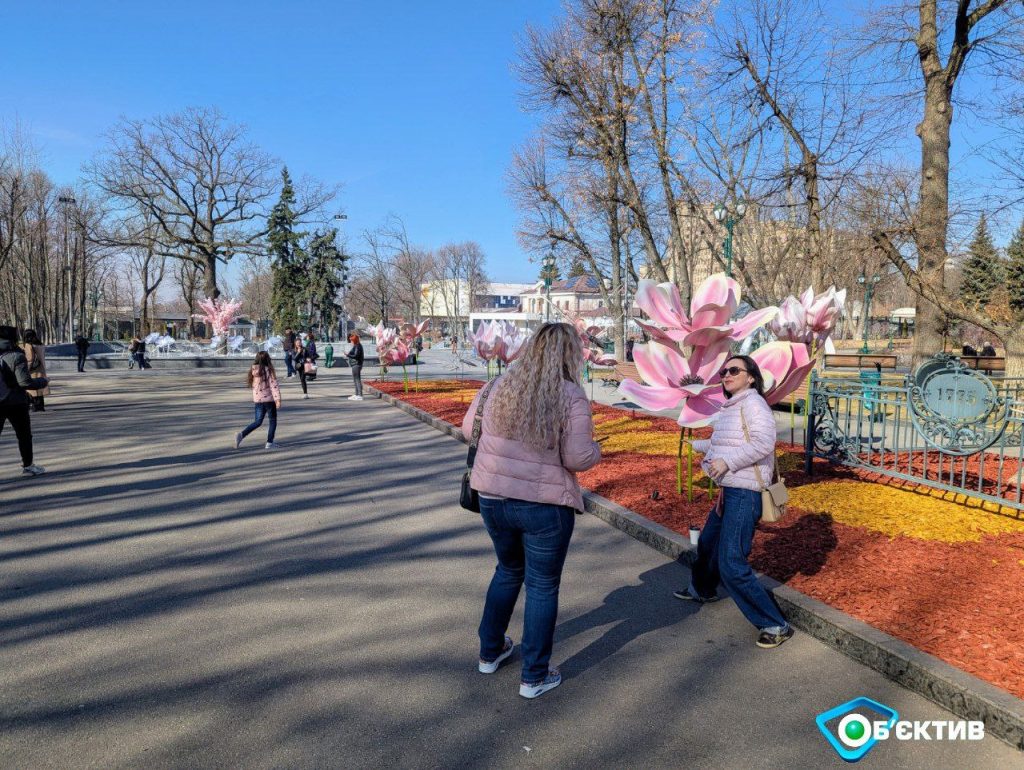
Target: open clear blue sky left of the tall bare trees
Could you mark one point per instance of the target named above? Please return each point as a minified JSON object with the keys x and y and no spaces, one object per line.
{"x":413,"y":107}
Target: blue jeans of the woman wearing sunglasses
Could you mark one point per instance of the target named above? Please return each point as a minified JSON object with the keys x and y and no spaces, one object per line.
{"x":722,"y":552}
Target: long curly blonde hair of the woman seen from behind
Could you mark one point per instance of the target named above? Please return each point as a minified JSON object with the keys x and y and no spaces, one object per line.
{"x":530,"y":403}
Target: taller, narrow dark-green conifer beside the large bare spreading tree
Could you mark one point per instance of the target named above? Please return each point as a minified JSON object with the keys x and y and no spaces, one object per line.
{"x":289,"y":290}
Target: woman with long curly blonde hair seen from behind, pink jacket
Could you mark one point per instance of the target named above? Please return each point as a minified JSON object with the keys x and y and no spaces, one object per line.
{"x":536,"y":433}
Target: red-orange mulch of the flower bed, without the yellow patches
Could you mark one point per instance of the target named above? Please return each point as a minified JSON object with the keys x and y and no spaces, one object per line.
{"x":960,"y":602}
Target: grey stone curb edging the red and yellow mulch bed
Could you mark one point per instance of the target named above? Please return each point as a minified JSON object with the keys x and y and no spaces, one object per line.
{"x":956,"y":691}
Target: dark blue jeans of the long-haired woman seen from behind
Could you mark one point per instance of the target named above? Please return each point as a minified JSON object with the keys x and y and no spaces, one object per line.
{"x":531,"y":541}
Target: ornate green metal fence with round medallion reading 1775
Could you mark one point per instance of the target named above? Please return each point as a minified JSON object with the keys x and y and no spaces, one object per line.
{"x":944,"y":426}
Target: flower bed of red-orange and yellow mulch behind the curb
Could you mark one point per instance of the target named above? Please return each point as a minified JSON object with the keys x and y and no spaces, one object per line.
{"x":921,"y":566}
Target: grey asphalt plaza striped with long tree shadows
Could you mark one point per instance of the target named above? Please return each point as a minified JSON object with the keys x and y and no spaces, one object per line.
{"x":168,"y":602}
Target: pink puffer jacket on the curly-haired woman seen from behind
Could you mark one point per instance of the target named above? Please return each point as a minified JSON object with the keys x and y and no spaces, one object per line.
{"x":506,"y":468}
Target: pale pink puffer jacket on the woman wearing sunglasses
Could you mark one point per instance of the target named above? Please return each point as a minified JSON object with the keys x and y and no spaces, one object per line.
{"x":729,"y":443}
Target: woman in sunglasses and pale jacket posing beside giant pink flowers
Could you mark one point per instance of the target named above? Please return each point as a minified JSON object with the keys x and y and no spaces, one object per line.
{"x":740,"y":456}
